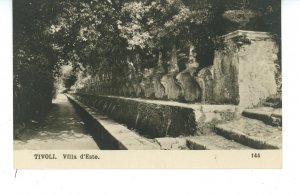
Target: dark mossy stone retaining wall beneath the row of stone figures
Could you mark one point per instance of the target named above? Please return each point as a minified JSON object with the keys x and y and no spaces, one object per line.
{"x":153,"y":118}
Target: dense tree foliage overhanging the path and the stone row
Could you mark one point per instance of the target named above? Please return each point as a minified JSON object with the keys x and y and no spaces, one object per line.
{"x":105,"y":37}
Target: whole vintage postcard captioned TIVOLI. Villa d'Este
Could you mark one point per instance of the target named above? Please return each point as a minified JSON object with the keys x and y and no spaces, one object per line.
{"x":147,"y":84}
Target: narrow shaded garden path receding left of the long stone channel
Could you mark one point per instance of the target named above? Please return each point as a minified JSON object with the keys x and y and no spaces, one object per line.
{"x":62,"y":129}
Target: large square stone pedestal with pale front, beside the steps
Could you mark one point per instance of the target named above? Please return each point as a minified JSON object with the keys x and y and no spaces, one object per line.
{"x":244,"y":68}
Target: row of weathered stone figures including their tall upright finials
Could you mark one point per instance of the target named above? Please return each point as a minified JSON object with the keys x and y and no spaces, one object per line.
{"x":155,"y":83}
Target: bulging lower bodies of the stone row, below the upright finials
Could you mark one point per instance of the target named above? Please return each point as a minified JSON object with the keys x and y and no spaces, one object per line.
{"x":182,"y":86}
